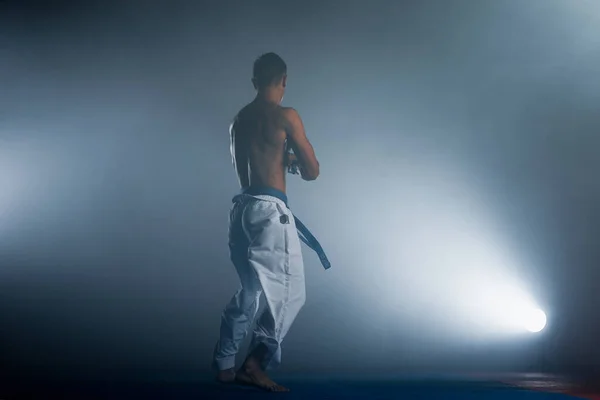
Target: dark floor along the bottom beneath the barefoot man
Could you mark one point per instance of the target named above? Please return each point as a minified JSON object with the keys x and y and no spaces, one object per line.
{"x":515,"y":386}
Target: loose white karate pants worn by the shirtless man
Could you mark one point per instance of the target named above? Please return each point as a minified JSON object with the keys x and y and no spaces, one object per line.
{"x":265,"y":250}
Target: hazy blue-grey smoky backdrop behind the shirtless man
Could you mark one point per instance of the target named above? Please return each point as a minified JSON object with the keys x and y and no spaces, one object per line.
{"x":456,"y":138}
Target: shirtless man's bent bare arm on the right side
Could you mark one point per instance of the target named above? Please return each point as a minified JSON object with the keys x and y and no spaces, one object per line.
{"x":309,"y":165}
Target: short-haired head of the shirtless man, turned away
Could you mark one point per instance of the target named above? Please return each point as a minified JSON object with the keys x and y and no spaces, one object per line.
{"x":270,"y":76}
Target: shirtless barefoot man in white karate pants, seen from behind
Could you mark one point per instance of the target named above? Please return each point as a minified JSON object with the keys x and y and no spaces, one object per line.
{"x":263,"y":241}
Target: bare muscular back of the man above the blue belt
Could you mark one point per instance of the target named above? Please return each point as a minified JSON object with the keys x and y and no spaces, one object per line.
{"x":258,"y":140}
